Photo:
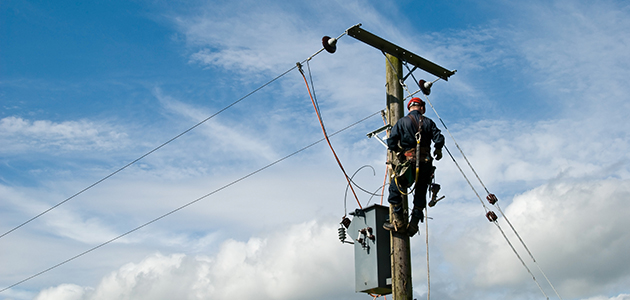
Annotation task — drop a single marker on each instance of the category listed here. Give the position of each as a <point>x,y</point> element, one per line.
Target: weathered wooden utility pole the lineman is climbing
<point>402,288</point>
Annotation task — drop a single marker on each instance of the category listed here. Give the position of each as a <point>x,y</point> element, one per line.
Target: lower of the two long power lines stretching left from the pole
<point>186,205</point>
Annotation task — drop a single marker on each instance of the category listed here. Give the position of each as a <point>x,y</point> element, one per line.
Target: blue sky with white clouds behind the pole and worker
<point>539,105</point>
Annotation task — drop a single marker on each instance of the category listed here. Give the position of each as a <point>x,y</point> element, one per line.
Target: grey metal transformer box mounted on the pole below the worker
<point>372,260</point>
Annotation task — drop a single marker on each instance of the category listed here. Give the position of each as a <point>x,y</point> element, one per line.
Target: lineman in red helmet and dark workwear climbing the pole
<point>410,140</point>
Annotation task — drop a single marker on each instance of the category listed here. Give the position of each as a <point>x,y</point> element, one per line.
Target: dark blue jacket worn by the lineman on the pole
<point>405,132</point>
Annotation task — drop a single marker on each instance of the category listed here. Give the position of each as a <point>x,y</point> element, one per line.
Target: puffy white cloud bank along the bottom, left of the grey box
<point>294,263</point>
